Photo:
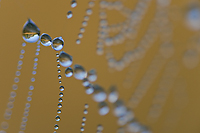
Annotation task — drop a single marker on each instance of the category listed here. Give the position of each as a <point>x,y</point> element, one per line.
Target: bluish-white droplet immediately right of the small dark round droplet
<point>79,72</point>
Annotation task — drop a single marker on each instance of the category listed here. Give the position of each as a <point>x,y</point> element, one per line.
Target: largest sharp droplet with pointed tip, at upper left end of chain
<point>31,32</point>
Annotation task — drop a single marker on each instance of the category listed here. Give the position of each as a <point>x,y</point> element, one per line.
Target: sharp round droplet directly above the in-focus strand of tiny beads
<point>57,43</point>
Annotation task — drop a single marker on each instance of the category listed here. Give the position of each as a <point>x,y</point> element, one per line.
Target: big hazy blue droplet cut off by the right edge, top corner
<point>193,16</point>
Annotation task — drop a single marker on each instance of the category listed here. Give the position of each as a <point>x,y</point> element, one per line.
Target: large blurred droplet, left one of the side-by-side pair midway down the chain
<point>99,94</point>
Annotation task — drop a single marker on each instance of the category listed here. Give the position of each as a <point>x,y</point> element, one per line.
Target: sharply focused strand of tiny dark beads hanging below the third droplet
<point>60,100</point>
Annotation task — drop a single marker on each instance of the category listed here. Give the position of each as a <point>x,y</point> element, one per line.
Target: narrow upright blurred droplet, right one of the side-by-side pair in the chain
<point>113,95</point>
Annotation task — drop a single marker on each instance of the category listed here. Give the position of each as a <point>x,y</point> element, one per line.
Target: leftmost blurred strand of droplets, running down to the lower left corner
<point>10,104</point>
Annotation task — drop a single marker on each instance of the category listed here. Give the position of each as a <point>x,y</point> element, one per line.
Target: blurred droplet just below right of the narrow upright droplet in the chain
<point>119,108</point>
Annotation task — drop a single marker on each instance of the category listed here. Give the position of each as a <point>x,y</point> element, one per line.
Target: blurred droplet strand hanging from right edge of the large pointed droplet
<point>30,92</point>
